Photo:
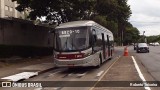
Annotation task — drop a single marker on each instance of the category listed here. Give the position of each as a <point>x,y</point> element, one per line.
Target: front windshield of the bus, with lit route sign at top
<point>71,39</point>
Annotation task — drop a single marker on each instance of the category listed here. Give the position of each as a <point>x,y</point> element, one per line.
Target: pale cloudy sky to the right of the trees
<point>145,16</point>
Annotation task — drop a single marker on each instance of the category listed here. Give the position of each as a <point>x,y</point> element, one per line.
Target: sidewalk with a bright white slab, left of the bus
<point>26,69</point>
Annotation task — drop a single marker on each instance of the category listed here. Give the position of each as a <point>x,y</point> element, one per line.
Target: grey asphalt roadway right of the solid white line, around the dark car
<point>151,60</point>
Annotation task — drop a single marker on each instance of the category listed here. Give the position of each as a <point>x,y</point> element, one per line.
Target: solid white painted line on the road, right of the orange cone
<point>140,73</point>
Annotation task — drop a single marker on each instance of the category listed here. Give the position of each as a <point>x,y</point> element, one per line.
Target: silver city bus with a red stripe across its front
<point>82,43</point>
